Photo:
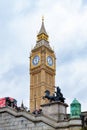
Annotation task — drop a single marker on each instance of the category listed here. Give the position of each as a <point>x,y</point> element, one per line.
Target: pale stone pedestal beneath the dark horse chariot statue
<point>55,110</point>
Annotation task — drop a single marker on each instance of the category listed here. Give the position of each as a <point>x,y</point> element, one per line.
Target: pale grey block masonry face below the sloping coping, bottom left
<point>18,122</point>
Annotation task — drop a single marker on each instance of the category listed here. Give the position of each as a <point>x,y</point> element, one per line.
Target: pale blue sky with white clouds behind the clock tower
<point>66,25</point>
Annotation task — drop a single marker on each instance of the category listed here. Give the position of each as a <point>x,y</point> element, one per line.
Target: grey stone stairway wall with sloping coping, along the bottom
<point>10,119</point>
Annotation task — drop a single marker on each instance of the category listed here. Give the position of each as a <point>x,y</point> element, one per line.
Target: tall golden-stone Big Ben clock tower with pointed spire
<point>42,69</point>
